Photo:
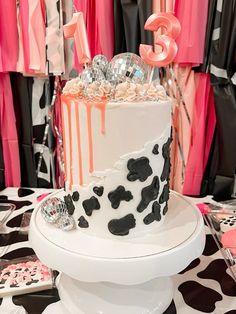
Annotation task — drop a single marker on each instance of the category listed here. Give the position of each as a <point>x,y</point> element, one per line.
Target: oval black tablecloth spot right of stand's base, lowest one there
<point>207,296</point>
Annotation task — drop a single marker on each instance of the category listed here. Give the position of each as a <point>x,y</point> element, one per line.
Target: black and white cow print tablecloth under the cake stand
<point>205,286</point>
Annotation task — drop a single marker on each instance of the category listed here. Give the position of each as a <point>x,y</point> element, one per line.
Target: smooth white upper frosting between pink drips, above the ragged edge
<point>128,127</point>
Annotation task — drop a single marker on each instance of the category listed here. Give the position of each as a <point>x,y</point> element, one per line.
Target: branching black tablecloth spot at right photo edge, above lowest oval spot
<point>216,270</point>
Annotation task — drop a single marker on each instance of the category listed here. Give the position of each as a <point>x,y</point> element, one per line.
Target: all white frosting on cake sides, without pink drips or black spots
<point>132,129</point>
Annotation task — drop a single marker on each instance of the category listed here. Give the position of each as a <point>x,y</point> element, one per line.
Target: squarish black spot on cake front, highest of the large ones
<point>139,169</point>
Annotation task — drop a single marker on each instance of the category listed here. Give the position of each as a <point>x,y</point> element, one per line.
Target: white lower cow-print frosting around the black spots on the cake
<point>110,179</point>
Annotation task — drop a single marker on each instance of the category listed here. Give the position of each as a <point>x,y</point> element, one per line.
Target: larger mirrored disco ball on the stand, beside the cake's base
<point>52,209</point>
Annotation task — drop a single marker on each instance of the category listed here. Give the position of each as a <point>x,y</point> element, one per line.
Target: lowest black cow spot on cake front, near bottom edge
<point>121,227</point>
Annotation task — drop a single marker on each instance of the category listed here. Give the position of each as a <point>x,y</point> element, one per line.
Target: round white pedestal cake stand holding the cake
<point>101,276</point>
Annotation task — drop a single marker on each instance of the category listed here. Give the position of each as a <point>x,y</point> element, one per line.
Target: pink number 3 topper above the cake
<point>172,29</point>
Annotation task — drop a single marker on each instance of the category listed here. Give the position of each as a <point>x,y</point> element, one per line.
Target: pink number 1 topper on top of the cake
<point>76,28</point>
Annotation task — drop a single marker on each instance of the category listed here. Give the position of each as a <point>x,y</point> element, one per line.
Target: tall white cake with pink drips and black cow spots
<point>124,190</point>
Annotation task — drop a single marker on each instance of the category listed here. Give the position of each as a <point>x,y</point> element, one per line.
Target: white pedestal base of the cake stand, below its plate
<point>78,297</point>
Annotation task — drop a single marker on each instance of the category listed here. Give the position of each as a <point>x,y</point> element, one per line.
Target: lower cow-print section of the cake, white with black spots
<point>128,198</point>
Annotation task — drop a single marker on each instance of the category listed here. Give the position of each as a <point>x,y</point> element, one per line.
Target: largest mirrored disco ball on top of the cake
<point>127,67</point>
